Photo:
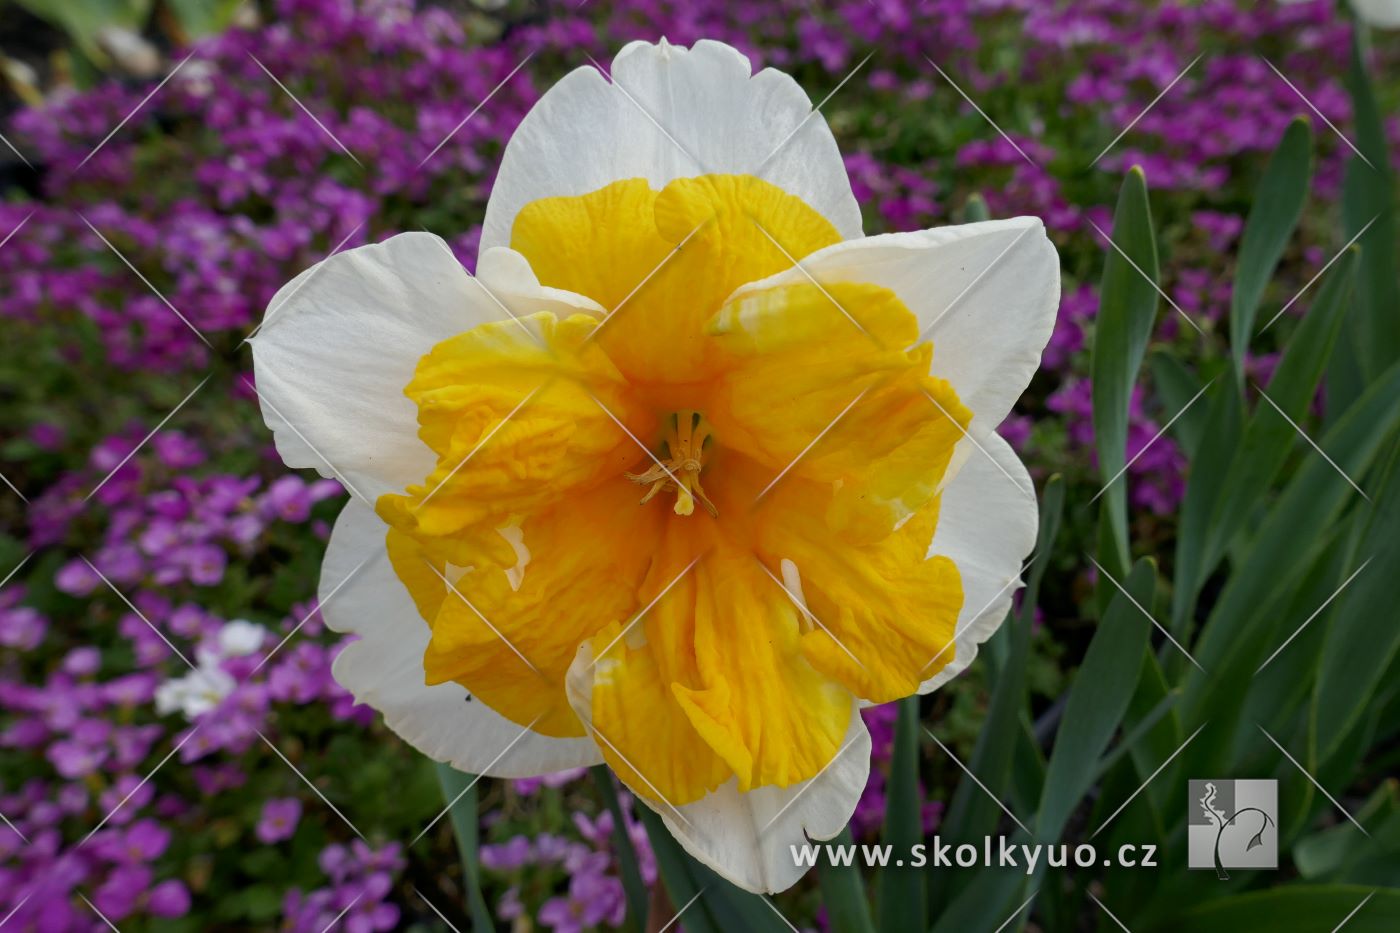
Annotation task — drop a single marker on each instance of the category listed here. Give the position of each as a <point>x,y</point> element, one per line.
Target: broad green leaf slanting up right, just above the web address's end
<point>1098,700</point>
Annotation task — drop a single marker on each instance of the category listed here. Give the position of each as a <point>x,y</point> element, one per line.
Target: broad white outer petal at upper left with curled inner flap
<point>341,343</point>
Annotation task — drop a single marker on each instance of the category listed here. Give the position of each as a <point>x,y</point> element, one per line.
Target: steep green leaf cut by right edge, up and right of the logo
<point>1363,638</point>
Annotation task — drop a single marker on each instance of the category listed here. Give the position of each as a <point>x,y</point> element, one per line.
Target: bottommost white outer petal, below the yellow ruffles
<point>748,838</point>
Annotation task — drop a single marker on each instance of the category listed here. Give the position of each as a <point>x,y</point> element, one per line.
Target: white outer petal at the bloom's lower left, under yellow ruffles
<point>362,596</point>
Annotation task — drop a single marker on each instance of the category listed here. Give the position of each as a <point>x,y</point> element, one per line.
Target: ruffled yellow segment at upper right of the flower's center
<point>828,383</point>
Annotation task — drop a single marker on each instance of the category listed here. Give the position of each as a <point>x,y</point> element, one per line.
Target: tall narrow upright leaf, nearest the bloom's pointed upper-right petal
<point>1128,307</point>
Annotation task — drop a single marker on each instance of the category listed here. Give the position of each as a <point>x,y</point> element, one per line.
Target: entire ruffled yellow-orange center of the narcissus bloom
<point>696,647</point>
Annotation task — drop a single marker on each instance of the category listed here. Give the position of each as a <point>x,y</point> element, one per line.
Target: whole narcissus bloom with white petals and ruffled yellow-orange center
<point>687,474</point>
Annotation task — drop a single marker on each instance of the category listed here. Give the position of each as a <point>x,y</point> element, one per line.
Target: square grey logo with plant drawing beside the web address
<point>1233,824</point>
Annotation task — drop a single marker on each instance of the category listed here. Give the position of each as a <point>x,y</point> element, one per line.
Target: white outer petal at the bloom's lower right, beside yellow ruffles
<point>988,523</point>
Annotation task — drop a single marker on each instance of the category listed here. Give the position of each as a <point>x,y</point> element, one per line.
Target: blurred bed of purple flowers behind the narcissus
<point>152,530</point>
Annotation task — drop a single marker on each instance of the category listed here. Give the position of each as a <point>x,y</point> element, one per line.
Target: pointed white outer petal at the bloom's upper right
<point>986,295</point>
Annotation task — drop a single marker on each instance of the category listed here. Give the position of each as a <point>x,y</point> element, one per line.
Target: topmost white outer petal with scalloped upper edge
<point>671,113</point>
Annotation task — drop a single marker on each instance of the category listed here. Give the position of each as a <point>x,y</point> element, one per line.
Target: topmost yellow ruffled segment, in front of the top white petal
<point>663,263</point>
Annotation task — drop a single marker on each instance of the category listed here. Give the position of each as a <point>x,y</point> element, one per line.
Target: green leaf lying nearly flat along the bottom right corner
<point>1301,907</point>
